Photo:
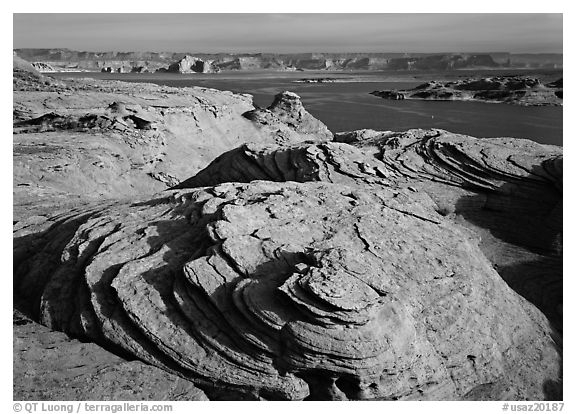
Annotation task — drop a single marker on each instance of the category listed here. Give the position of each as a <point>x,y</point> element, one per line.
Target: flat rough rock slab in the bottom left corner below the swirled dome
<point>50,366</point>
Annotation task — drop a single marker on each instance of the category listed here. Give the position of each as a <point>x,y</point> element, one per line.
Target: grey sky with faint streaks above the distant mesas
<point>284,33</point>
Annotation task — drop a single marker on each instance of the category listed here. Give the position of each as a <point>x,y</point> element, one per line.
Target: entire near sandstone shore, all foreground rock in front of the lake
<point>181,243</point>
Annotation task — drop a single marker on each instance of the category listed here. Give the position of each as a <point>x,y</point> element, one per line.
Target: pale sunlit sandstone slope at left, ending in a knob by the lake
<point>79,139</point>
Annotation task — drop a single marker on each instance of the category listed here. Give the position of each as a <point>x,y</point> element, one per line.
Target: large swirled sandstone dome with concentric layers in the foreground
<point>289,291</point>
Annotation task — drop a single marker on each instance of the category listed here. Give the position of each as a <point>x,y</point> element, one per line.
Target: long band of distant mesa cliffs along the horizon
<point>69,60</point>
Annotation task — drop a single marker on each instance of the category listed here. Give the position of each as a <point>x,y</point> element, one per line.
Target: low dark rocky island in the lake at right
<point>513,90</point>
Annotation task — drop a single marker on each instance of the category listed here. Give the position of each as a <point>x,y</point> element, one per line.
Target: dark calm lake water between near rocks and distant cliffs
<point>348,105</point>
